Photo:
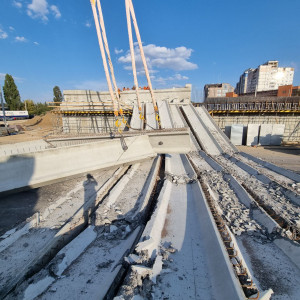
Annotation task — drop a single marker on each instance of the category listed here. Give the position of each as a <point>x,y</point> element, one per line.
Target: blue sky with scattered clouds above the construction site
<point>44,43</point>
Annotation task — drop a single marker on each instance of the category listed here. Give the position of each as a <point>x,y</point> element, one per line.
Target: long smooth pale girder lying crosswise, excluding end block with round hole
<point>50,165</point>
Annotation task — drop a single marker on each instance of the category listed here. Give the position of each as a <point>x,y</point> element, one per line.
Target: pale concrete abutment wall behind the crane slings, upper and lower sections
<point>91,101</point>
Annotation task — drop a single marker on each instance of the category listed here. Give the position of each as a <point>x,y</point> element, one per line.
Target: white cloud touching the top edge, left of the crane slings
<point>40,9</point>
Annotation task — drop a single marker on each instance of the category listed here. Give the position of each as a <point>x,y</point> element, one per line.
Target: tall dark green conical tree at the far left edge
<point>11,93</point>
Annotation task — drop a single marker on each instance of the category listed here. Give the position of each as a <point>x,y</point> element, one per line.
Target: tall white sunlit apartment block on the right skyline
<point>265,77</point>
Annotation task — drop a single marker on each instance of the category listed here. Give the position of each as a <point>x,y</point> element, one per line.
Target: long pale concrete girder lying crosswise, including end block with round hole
<point>77,156</point>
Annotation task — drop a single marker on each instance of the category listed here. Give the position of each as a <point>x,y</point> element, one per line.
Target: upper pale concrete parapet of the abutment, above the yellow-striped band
<point>174,95</point>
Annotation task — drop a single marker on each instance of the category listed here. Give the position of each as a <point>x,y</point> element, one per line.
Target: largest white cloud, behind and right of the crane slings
<point>162,58</point>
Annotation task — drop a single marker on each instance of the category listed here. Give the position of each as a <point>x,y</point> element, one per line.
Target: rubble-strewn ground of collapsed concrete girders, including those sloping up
<point>214,223</point>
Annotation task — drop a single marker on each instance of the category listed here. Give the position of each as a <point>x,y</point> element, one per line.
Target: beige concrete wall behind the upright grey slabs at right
<point>291,133</point>
